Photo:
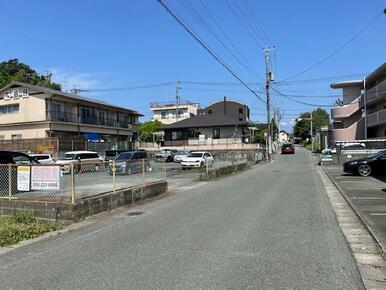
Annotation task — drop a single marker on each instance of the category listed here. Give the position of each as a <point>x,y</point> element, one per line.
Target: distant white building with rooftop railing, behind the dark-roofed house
<point>168,113</point>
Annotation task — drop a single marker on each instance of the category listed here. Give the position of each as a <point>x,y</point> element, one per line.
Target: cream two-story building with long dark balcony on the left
<point>29,111</point>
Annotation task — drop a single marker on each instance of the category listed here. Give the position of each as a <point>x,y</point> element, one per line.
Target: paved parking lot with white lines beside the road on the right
<point>367,196</point>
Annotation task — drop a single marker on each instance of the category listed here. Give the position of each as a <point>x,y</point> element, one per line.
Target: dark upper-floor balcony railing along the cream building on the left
<point>90,120</point>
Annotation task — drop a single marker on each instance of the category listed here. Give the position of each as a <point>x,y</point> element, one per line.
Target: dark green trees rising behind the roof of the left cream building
<point>13,70</point>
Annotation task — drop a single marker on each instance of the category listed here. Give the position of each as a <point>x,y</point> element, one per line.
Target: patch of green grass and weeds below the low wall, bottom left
<point>22,225</point>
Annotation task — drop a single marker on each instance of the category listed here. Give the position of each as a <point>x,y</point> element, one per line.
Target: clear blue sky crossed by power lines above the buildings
<point>108,44</point>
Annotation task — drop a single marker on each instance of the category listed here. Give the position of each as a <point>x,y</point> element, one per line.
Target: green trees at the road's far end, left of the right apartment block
<point>302,128</point>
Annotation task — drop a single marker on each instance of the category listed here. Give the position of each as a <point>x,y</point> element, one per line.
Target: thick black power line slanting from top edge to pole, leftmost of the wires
<point>206,47</point>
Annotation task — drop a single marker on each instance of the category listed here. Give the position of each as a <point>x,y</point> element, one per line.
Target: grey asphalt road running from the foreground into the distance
<point>271,227</point>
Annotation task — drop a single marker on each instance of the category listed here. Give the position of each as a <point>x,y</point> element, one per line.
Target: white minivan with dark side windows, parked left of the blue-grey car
<point>90,158</point>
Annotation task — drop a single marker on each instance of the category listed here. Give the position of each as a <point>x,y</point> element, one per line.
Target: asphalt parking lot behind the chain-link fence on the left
<point>90,182</point>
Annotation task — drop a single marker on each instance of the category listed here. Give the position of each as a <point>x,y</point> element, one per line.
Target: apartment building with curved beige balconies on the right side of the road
<point>349,121</point>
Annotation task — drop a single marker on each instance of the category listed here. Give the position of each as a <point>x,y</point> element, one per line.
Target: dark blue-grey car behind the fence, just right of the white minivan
<point>130,162</point>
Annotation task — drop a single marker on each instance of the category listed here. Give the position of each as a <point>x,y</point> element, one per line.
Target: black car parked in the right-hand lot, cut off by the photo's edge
<point>374,164</point>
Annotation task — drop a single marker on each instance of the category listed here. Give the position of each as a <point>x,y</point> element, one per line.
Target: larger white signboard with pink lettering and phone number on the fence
<point>45,178</point>
